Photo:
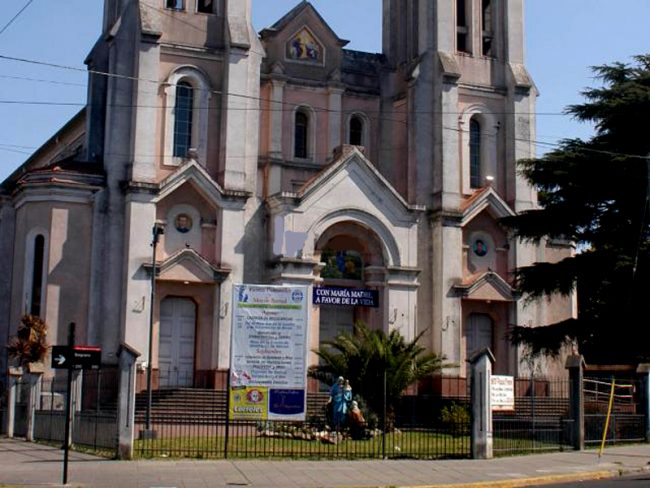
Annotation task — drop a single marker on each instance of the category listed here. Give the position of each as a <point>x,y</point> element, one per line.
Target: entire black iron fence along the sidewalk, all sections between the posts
<point>191,422</point>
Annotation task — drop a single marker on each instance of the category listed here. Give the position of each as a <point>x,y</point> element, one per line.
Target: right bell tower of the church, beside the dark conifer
<point>458,107</point>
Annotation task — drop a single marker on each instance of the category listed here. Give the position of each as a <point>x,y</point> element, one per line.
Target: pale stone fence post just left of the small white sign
<point>481,364</point>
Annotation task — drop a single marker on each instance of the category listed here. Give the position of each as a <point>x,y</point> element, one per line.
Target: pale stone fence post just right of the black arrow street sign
<point>126,400</point>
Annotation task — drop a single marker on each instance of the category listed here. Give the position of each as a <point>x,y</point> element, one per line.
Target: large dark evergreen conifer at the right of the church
<point>594,193</point>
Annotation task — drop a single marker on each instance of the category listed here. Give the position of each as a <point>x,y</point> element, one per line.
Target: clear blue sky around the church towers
<point>563,39</point>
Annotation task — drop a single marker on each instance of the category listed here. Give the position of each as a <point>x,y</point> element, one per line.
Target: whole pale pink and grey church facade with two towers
<point>281,157</point>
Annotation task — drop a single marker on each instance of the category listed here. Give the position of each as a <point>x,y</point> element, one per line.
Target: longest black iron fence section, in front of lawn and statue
<point>193,423</point>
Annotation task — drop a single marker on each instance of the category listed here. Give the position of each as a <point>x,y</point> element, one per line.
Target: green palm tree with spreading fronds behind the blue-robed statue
<point>365,355</point>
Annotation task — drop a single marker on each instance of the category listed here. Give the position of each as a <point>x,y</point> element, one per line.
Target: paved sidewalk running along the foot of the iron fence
<point>23,463</point>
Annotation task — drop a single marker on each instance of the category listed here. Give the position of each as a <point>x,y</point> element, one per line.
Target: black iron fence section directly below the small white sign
<point>540,420</point>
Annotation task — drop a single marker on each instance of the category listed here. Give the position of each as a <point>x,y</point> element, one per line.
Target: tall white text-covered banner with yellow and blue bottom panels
<point>268,359</point>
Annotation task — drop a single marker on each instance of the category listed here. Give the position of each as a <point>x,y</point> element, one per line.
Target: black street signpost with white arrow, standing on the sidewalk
<point>72,358</point>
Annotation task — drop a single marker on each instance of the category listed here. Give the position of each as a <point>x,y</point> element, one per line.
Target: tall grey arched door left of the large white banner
<point>176,342</point>
